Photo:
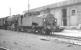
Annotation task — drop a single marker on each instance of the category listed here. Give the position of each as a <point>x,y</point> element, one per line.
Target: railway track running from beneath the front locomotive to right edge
<point>62,38</point>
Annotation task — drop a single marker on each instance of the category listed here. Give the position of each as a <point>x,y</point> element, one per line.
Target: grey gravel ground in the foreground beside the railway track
<point>25,41</point>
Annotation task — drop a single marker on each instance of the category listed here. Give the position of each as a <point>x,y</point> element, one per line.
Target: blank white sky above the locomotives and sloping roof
<point>18,6</point>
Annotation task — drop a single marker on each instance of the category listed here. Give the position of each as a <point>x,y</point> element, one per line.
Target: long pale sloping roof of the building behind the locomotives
<point>55,5</point>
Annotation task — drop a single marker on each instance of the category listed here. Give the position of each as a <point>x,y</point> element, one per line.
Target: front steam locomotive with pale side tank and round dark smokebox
<point>41,24</point>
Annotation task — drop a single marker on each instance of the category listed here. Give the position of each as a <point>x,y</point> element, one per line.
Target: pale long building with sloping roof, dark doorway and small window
<point>67,13</point>
